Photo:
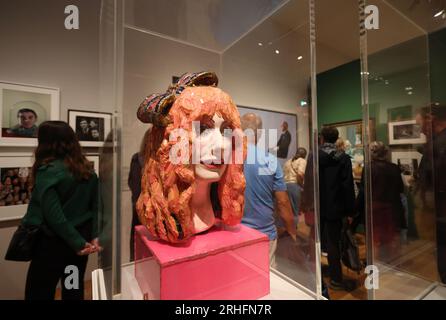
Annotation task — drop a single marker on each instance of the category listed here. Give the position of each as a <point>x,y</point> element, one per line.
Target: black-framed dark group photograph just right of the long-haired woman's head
<point>92,128</point>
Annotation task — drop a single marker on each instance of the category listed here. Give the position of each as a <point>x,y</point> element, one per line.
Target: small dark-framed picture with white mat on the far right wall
<point>405,132</point>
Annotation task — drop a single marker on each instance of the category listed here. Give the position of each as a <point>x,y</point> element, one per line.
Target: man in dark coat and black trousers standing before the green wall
<point>336,199</point>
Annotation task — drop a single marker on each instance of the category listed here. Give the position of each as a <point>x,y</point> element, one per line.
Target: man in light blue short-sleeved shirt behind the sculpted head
<point>265,188</point>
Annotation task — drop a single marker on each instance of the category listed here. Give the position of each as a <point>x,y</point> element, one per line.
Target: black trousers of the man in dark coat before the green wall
<point>332,230</point>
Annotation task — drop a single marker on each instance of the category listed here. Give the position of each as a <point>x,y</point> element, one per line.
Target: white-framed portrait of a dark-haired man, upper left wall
<point>22,109</point>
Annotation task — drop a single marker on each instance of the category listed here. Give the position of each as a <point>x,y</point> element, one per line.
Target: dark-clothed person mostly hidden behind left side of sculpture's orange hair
<point>134,183</point>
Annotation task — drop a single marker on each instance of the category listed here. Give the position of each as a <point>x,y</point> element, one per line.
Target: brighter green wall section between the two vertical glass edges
<point>339,94</point>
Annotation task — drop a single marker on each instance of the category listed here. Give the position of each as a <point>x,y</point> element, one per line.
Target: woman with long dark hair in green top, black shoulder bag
<point>64,203</point>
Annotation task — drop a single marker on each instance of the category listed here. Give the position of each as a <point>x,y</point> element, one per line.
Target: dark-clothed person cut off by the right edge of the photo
<point>432,172</point>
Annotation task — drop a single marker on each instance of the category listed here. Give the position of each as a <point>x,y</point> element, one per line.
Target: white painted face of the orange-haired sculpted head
<point>212,144</point>
